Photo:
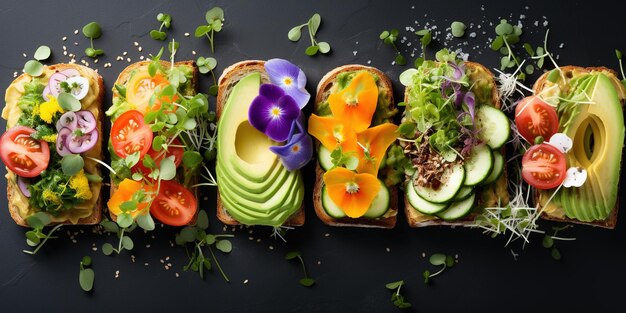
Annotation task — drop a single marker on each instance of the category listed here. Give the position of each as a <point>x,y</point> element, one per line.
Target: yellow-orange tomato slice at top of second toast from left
<point>142,86</point>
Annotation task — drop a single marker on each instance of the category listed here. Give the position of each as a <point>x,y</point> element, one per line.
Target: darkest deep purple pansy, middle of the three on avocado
<point>273,112</point>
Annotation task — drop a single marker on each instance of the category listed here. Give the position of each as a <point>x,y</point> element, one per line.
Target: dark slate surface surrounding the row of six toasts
<point>351,266</point>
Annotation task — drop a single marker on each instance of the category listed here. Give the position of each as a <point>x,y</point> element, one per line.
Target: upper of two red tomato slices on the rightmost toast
<point>534,117</point>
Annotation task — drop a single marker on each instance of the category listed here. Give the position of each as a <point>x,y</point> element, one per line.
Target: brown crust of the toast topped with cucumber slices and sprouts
<point>412,213</point>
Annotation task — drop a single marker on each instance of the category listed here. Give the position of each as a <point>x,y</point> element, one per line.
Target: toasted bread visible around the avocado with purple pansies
<point>229,78</point>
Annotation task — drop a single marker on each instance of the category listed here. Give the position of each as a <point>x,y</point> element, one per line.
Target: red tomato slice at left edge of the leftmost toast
<point>22,154</point>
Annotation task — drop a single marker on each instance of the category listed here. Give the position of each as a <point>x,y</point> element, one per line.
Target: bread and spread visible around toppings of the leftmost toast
<point>17,202</point>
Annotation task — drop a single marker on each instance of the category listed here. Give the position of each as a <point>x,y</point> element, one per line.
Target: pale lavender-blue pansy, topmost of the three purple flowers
<point>290,78</point>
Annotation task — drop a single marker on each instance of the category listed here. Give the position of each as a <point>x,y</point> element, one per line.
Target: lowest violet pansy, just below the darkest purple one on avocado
<point>299,148</point>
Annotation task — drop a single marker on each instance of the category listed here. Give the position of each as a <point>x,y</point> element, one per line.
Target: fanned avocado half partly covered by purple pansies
<point>253,185</point>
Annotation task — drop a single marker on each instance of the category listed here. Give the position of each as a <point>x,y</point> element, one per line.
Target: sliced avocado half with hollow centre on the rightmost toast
<point>600,118</point>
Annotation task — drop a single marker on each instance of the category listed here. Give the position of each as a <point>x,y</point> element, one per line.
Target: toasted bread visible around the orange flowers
<point>324,89</point>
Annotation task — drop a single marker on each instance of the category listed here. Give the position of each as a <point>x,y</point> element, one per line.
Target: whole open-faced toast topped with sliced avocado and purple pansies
<point>262,143</point>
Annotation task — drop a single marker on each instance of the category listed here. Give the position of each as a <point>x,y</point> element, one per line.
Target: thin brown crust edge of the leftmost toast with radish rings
<point>96,215</point>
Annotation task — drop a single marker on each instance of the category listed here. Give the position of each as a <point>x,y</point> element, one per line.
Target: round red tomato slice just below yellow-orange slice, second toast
<point>130,134</point>
